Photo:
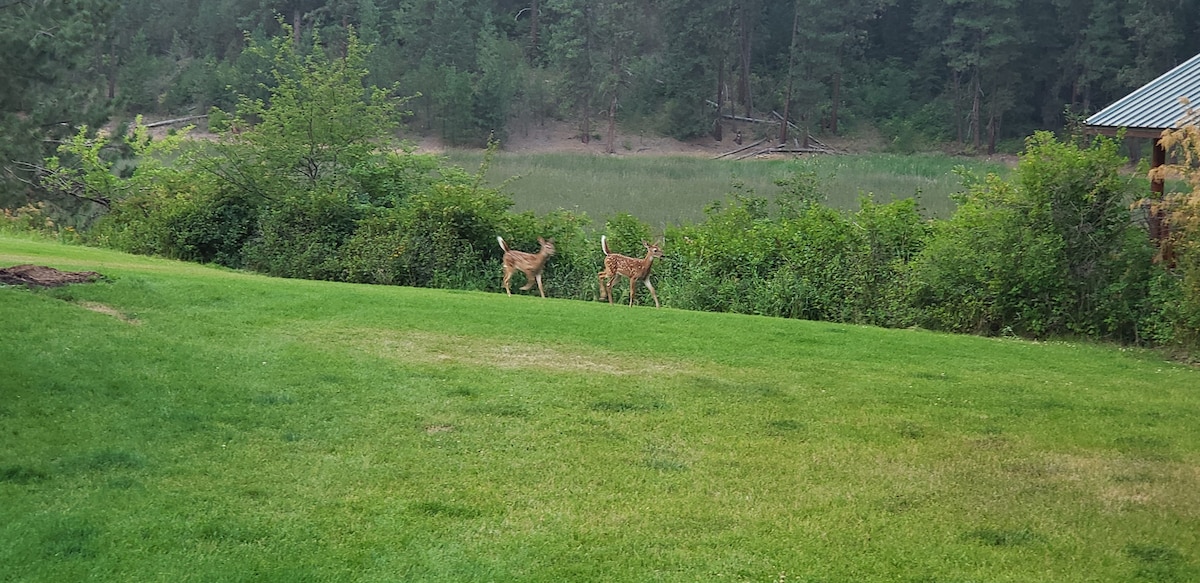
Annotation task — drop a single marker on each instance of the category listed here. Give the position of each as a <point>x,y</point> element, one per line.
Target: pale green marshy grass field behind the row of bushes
<point>674,190</point>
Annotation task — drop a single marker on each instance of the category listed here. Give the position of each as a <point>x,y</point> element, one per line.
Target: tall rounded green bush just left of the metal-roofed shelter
<point>1048,254</point>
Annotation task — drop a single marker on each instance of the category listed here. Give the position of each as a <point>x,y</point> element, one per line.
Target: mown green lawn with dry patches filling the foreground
<point>178,423</point>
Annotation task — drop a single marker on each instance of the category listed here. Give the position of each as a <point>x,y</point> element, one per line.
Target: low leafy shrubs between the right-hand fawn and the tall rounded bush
<point>812,263</point>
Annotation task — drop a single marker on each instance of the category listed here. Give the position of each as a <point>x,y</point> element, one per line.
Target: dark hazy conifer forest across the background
<point>917,71</point>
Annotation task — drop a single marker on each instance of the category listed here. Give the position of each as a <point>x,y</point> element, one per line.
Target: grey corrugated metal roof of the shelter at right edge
<point>1155,106</point>
